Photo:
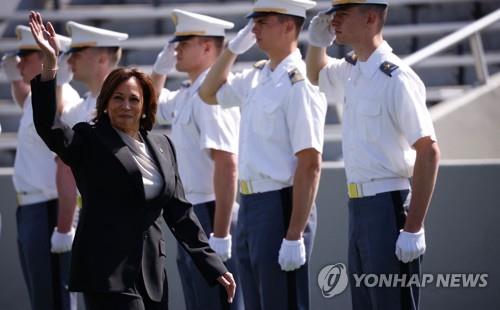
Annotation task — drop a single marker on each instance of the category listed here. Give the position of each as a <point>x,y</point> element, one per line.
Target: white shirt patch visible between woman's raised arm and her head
<point>80,110</point>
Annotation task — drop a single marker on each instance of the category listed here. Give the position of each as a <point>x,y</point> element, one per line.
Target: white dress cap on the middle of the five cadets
<point>189,24</point>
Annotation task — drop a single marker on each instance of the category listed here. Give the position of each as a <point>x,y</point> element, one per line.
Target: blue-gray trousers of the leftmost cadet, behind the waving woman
<point>46,274</point>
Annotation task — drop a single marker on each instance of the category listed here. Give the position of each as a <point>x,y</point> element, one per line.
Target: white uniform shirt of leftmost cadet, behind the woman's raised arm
<point>34,165</point>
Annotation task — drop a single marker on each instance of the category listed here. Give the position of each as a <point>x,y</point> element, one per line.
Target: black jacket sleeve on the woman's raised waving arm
<point>58,137</point>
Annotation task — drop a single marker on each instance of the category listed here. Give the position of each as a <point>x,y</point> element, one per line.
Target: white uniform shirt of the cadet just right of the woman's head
<point>196,128</point>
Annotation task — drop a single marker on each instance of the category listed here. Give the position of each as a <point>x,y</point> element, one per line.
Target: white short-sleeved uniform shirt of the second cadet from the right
<point>278,119</point>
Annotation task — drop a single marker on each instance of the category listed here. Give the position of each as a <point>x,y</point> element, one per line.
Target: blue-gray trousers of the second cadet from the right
<point>262,224</point>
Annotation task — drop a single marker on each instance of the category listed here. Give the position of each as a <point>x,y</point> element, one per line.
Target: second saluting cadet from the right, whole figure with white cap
<point>281,140</point>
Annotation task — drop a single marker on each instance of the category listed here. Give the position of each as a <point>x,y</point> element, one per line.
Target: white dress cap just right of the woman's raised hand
<point>88,36</point>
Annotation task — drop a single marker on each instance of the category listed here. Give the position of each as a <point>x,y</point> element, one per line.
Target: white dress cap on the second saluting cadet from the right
<point>286,7</point>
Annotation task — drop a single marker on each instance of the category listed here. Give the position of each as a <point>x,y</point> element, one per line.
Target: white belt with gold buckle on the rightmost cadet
<point>372,188</point>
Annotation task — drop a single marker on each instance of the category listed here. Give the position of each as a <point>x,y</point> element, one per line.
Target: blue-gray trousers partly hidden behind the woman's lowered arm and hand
<point>197,293</point>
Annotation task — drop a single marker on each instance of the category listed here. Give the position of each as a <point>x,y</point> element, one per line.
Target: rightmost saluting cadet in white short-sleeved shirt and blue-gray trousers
<point>388,138</point>
